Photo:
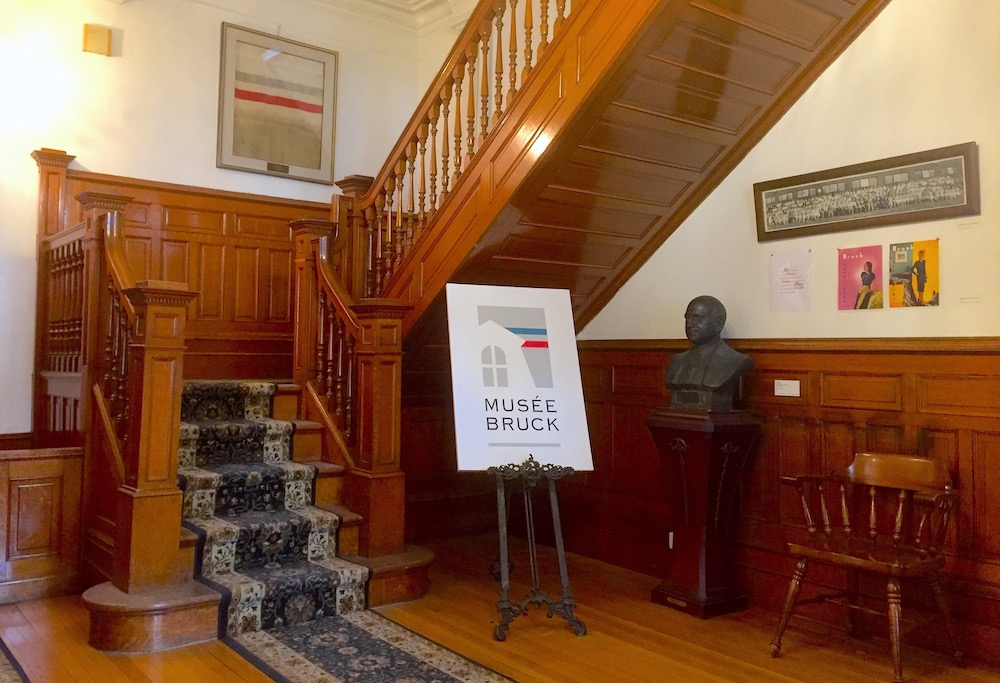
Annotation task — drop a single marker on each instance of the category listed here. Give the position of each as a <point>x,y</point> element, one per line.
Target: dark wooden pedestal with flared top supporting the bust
<point>703,459</point>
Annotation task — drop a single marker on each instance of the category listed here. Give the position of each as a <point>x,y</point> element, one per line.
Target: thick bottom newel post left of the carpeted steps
<point>149,502</point>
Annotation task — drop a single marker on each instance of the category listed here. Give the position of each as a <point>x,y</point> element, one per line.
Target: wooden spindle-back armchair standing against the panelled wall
<point>904,504</point>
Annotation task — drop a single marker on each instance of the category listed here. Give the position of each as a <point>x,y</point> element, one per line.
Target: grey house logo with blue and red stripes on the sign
<point>516,330</point>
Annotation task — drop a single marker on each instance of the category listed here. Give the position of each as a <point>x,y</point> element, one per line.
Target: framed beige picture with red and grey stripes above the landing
<point>277,106</point>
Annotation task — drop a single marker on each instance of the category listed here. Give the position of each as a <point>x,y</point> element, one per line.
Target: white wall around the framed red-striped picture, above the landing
<point>150,111</point>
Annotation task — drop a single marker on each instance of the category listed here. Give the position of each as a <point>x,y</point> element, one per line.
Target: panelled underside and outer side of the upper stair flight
<point>697,84</point>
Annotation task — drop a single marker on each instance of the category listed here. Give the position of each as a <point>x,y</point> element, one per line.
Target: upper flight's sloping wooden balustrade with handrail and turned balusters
<point>467,101</point>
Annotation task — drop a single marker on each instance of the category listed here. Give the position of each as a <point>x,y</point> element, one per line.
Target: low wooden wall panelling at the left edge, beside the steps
<point>39,536</point>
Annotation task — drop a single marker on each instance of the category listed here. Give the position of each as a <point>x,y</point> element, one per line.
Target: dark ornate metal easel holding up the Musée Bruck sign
<point>530,473</point>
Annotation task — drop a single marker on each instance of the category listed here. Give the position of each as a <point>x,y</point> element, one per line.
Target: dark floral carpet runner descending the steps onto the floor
<point>290,605</point>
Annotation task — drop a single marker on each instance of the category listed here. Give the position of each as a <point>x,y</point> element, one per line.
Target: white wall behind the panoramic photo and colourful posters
<point>925,74</point>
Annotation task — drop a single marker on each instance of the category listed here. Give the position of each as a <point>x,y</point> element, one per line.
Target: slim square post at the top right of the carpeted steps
<point>306,232</point>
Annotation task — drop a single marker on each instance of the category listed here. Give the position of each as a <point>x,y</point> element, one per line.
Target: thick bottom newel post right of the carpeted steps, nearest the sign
<point>377,483</point>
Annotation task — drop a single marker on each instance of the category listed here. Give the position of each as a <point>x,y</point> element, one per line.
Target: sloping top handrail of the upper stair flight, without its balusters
<point>457,58</point>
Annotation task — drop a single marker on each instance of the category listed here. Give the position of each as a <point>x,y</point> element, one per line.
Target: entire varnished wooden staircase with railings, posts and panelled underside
<point>559,146</point>
